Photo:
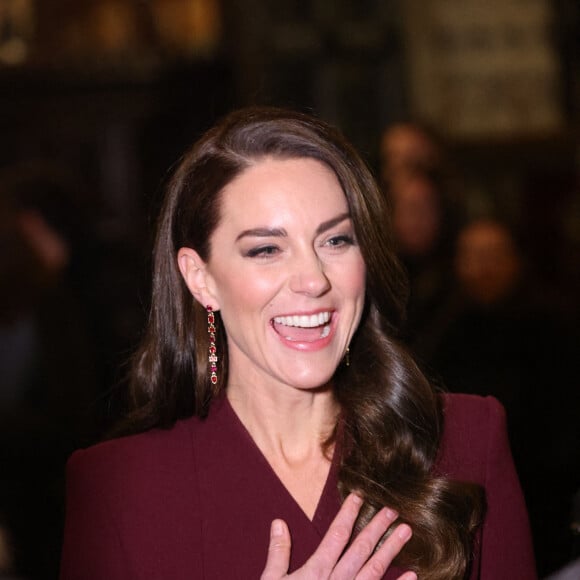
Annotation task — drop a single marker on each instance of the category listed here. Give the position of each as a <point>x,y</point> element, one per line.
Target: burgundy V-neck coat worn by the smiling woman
<point>196,501</point>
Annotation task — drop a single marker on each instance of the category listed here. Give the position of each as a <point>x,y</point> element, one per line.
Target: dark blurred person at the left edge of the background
<point>47,372</point>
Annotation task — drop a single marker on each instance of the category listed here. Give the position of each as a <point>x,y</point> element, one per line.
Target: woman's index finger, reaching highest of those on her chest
<point>322,562</point>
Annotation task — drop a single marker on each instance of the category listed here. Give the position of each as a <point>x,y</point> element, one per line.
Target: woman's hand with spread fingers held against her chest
<point>329,562</point>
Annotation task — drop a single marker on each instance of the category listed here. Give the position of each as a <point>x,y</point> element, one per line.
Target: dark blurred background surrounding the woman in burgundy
<point>469,114</point>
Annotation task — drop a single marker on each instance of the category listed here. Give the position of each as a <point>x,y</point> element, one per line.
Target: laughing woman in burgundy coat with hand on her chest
<point>269,388</point>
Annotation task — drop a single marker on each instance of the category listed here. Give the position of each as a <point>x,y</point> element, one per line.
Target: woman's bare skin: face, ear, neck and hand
<point>285,247</point>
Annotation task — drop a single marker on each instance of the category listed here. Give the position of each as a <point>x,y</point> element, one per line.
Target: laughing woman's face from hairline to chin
<point>286,273</point>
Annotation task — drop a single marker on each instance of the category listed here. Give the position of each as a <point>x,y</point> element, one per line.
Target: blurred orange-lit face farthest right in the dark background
<point>488,264</point>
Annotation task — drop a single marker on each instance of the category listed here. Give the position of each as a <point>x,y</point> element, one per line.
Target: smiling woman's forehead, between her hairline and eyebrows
<point>283,187</point>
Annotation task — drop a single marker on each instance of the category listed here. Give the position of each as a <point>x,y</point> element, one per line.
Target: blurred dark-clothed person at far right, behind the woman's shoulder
<point>496,337</point>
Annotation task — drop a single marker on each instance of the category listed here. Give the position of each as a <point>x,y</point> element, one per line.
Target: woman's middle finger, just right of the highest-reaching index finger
<point>364,545</point>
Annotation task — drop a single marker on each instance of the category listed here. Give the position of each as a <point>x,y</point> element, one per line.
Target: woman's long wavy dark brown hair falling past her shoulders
<point>391,417</point>
